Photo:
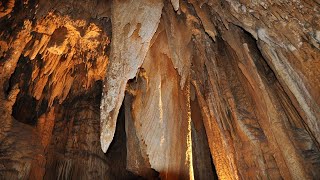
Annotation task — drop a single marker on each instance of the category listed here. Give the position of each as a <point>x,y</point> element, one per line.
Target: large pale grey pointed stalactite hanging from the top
<point>131,39</point>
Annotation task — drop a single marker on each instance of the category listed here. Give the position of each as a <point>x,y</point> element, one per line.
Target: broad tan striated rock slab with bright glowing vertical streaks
<point>160,112</point>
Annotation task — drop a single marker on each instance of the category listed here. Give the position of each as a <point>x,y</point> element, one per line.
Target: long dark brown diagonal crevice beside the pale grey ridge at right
<point>306,143</point>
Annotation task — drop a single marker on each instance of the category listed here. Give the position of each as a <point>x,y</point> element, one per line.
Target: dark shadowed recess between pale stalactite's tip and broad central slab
<point>124,149</point>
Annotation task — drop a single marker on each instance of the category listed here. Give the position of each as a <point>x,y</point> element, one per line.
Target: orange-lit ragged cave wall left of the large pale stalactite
<point>52,62</point>
